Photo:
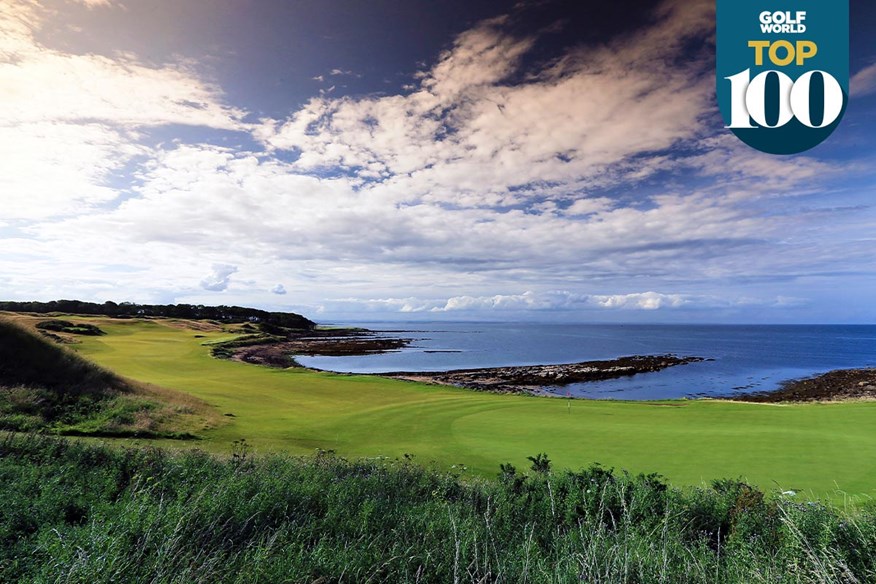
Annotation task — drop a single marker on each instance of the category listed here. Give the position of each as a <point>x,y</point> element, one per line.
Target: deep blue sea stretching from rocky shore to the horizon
<point>739,358</point>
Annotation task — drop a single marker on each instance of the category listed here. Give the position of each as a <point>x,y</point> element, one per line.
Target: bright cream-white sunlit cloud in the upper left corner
<point>68,121</point>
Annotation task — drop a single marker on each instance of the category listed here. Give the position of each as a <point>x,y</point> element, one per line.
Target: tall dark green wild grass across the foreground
<point>81,513</point>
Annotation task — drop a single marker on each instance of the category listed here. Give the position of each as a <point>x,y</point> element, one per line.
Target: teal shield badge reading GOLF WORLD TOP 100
<point>782,71</point>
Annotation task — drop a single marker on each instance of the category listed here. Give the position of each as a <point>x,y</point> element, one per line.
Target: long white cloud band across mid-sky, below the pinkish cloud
<point>195,192</point>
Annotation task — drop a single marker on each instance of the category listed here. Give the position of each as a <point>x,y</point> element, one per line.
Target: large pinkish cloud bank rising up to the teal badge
<point>468,136</point>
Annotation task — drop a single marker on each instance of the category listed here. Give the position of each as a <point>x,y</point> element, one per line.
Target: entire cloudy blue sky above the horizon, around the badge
<point>360,160</point>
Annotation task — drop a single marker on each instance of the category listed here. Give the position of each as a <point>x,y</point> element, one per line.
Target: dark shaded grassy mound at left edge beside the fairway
<point>47,387</point>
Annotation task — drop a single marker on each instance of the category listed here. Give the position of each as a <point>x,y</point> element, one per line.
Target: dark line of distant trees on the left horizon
<point>229,314</point>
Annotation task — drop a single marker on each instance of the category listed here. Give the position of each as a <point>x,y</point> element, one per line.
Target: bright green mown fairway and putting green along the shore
<point>817,448</point>
